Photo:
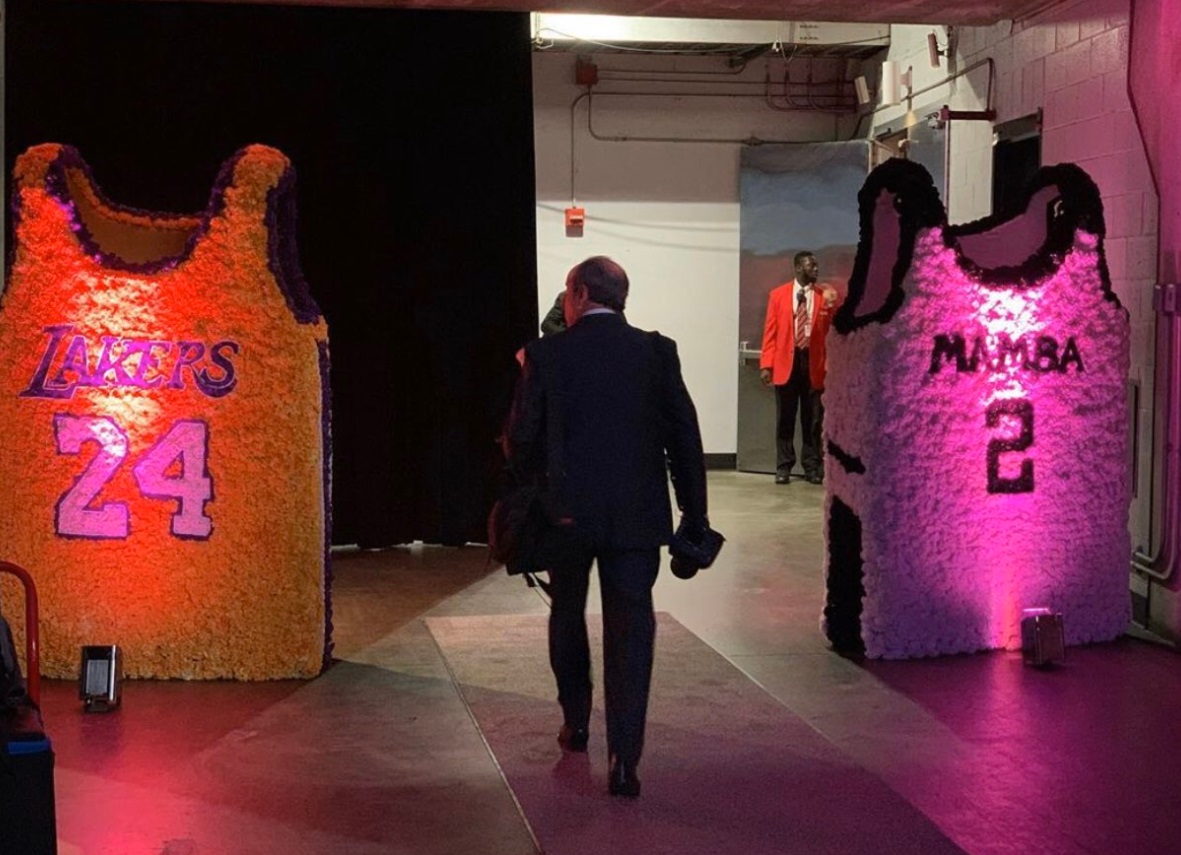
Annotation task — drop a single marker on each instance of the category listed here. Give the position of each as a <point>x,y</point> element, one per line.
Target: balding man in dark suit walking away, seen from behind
<point>603,415</point>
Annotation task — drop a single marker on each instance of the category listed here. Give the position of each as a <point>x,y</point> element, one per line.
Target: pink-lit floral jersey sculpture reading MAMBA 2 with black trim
<point>977,425</point>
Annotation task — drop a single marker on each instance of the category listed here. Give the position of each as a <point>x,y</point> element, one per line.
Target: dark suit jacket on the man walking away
<point>624,421</point>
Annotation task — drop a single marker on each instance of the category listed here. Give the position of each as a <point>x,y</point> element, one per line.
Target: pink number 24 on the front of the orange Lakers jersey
<point>186,442</point>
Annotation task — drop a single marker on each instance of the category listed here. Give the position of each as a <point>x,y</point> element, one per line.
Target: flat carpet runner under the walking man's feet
<point>727,768</point>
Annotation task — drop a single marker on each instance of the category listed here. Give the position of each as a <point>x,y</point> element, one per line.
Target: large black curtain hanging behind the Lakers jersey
<point>412,134</point>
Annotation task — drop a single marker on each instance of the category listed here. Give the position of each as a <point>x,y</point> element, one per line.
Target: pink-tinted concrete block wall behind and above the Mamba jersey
<point>1073,62</point>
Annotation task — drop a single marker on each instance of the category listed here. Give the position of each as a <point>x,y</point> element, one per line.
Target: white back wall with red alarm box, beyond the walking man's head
<point>665,210</point>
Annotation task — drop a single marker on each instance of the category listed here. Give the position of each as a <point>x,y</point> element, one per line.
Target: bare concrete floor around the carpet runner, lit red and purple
<point>381,755</point>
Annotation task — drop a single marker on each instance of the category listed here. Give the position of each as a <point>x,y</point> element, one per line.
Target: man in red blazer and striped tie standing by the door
<point>799,315</point>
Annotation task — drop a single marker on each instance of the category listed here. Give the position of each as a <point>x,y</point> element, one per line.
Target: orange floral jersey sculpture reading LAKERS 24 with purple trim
<point>165,452</point>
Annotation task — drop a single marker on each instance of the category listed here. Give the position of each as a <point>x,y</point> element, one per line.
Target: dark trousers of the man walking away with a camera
<point>629,638</point>
